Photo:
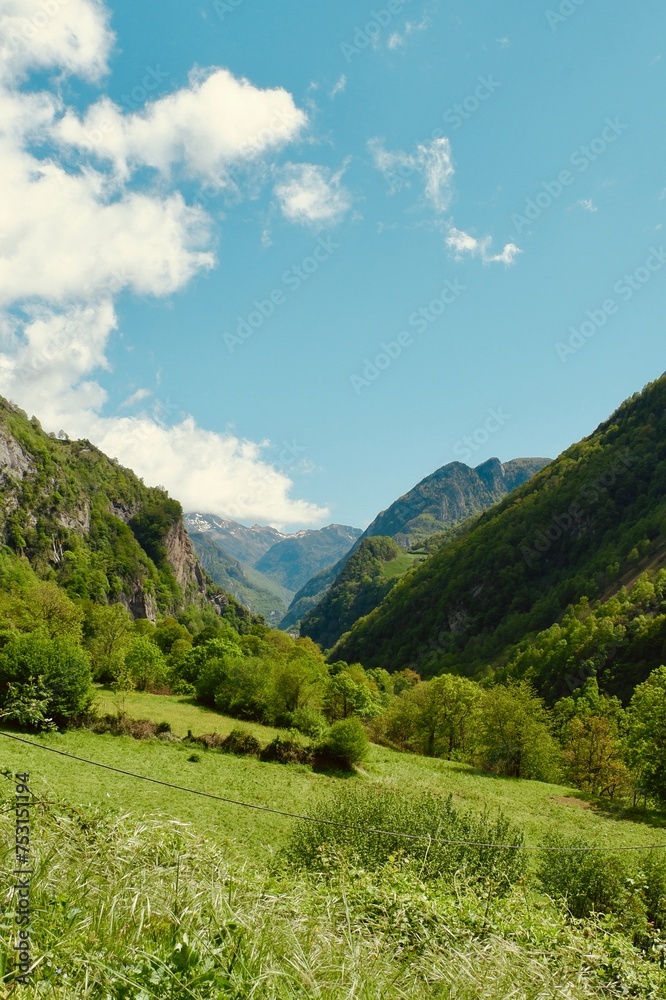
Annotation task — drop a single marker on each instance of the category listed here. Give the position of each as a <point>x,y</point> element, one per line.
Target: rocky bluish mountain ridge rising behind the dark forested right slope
<point>436,504</point>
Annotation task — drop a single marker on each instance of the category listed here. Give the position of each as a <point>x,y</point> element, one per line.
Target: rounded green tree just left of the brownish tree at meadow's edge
<point>516,740</point>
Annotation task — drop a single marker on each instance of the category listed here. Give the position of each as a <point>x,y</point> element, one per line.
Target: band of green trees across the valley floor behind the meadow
<point>52,649</point>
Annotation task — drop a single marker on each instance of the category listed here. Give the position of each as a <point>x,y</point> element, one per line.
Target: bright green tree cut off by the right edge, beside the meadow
<point>646,735</point>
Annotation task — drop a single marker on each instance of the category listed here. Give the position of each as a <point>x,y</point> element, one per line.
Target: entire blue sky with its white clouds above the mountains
<point>445,238</point>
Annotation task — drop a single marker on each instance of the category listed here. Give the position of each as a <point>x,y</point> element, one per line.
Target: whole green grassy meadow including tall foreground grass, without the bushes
<point>143,892</point>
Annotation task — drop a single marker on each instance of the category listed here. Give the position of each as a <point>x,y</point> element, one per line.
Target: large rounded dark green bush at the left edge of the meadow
<point>58,666</point>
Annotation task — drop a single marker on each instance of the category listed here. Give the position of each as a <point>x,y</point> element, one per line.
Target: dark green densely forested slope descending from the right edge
<point>585,524</point>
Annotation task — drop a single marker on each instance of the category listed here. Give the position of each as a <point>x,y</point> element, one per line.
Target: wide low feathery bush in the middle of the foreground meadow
<point>360,810</point>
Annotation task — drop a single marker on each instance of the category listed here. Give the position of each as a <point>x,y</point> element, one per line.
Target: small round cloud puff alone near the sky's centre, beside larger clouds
<point>312,194</point>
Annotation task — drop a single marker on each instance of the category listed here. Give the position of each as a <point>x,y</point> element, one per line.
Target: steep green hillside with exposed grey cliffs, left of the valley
<point>82,521</point>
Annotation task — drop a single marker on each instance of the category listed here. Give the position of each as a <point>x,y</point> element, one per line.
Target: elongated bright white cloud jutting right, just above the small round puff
<point>206,127</point>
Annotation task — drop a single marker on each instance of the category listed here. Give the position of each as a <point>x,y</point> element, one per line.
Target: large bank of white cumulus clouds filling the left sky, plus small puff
<point>77,227</point>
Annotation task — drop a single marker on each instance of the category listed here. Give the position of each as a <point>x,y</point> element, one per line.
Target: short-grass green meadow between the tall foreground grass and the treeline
<point>540,809</point>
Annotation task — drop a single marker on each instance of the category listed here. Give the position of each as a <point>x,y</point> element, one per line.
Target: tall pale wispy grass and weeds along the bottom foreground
<point>126,909</point>
